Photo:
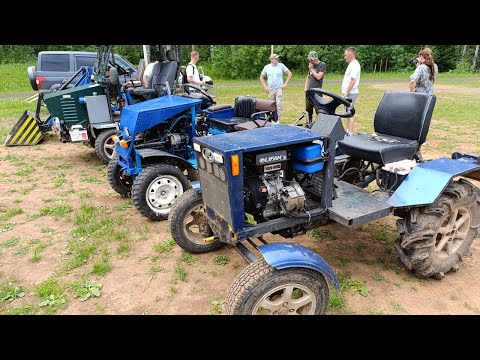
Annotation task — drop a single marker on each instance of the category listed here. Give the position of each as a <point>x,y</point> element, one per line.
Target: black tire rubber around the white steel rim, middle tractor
<point>143,180</point>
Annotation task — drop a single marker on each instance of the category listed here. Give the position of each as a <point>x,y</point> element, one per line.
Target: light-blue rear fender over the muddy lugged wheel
<point>426,182</point>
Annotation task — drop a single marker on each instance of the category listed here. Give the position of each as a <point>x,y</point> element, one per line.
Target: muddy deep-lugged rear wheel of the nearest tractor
<point>433,239</point>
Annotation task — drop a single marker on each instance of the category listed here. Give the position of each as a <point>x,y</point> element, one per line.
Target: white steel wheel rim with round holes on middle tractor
<point>162,192</point>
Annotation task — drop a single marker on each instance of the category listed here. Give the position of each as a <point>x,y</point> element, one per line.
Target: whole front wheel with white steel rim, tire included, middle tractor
<point>156,188</point>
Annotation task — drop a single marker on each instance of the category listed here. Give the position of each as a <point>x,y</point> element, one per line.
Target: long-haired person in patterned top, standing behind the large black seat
<point>424,76</point>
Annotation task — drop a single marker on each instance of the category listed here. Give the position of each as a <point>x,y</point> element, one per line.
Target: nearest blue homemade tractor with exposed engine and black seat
<point>287,179</point>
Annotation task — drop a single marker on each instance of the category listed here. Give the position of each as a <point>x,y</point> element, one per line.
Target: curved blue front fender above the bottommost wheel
<point>288,255</point>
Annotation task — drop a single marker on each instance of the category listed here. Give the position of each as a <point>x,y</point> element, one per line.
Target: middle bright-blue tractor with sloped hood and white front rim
<point>155,161</point>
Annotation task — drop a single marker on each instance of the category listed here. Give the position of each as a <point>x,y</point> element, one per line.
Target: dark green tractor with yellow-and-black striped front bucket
<point>86,112</point>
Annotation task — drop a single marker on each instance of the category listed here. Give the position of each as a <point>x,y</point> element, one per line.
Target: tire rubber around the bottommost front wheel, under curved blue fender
<point>258,275</point>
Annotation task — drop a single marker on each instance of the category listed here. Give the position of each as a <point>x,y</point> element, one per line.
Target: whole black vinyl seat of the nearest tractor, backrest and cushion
<point>402,121</point>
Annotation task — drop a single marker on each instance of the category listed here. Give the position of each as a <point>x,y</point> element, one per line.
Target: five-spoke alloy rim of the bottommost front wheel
<point>288,299</point>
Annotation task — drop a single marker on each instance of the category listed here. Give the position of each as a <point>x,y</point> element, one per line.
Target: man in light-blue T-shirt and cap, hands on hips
<point>275,85</point>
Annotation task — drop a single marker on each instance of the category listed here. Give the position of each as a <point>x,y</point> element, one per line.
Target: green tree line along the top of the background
<point>246,61</point>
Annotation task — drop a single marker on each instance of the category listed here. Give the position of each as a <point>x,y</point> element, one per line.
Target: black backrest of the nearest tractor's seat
<point>405,114</point>
